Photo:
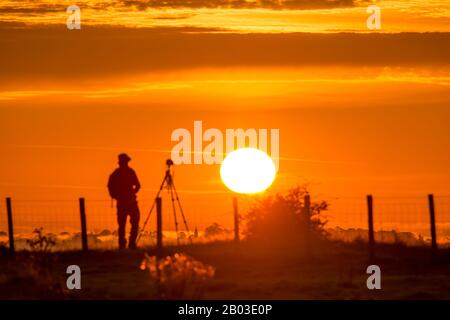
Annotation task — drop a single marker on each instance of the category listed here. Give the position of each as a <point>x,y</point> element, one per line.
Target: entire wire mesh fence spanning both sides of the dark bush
<point>396,219</point>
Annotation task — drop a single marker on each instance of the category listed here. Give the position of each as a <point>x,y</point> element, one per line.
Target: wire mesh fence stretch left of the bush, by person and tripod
<point>60,219</point>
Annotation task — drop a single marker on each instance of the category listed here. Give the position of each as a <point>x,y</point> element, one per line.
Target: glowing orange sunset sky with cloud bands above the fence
<point>358,113</point>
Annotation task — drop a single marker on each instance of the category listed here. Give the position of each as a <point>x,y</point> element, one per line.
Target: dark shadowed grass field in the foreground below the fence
<point>248,271</point>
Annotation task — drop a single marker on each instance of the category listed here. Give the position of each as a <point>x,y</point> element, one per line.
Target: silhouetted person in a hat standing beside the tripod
<point>123,185</point>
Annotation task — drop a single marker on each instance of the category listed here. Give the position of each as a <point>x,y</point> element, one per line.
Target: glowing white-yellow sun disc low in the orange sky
<point>247,170</point>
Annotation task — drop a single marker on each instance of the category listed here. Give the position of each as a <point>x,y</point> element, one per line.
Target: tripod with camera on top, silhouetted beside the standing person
<point>170,185</point>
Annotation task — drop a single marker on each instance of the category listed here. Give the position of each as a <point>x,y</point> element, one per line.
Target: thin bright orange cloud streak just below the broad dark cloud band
<point>282,77</point>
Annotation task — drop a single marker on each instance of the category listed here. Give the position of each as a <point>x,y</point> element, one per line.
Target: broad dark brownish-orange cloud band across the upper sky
<point>47,53</point>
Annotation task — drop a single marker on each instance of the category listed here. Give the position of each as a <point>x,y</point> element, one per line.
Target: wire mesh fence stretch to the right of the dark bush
<point>396,219</point>
